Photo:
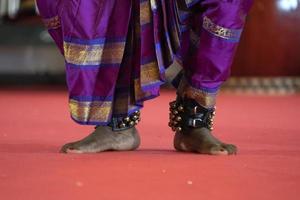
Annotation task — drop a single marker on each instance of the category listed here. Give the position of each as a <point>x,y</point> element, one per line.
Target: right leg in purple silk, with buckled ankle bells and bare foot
<point>208,49</point>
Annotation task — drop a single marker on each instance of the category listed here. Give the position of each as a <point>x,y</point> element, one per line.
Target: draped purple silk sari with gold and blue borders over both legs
<point>116,51</point>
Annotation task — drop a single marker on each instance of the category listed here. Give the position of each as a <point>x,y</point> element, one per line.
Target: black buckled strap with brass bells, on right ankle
<point>188,113</point>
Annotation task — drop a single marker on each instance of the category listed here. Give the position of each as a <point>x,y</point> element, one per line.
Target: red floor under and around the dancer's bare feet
<point>34,124</point>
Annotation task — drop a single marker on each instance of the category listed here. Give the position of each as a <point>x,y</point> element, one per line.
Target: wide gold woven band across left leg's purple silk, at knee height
<point>80,54</point>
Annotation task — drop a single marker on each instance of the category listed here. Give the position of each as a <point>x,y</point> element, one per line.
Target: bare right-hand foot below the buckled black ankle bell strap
<point>200,140</point>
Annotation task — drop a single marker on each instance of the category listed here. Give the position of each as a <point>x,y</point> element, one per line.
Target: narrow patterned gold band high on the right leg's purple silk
<point>219,31</point>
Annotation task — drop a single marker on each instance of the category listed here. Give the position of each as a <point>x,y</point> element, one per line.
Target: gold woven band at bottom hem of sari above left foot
<point>86,111</point>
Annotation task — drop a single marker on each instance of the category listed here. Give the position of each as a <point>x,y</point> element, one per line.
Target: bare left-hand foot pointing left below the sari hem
<point>104,139</point>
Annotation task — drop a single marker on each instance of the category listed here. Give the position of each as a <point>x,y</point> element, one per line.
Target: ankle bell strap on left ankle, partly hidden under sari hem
<point>120,124</point>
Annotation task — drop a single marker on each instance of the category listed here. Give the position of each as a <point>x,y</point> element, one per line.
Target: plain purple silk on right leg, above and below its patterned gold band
<point>207,65</point>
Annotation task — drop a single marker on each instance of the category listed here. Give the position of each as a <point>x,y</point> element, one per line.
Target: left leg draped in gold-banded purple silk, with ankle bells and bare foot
<point>111,67</point>
